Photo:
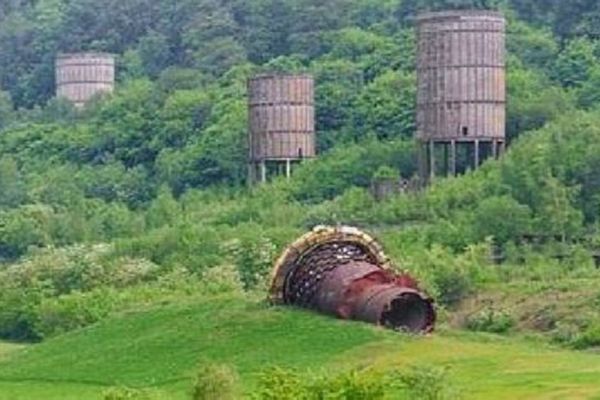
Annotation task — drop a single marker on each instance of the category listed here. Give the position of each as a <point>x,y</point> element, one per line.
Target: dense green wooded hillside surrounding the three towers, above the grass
<point>142,194</point>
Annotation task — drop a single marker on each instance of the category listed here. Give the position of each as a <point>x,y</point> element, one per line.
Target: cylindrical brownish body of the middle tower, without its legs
<point>281,117</point>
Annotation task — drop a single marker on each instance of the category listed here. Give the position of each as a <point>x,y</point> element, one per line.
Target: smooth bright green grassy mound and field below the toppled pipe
<point>159,348</point>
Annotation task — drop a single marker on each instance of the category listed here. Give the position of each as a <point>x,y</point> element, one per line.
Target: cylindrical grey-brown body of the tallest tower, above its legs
<point>461,76</point>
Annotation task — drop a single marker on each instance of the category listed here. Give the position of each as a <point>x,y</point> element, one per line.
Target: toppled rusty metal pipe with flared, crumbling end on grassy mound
<point>342,271</point>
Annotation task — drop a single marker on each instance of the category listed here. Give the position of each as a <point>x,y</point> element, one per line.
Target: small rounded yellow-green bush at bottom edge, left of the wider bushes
<point>215,382</point>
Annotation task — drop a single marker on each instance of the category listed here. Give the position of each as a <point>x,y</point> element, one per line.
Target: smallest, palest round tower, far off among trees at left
<point>81,76</point>
